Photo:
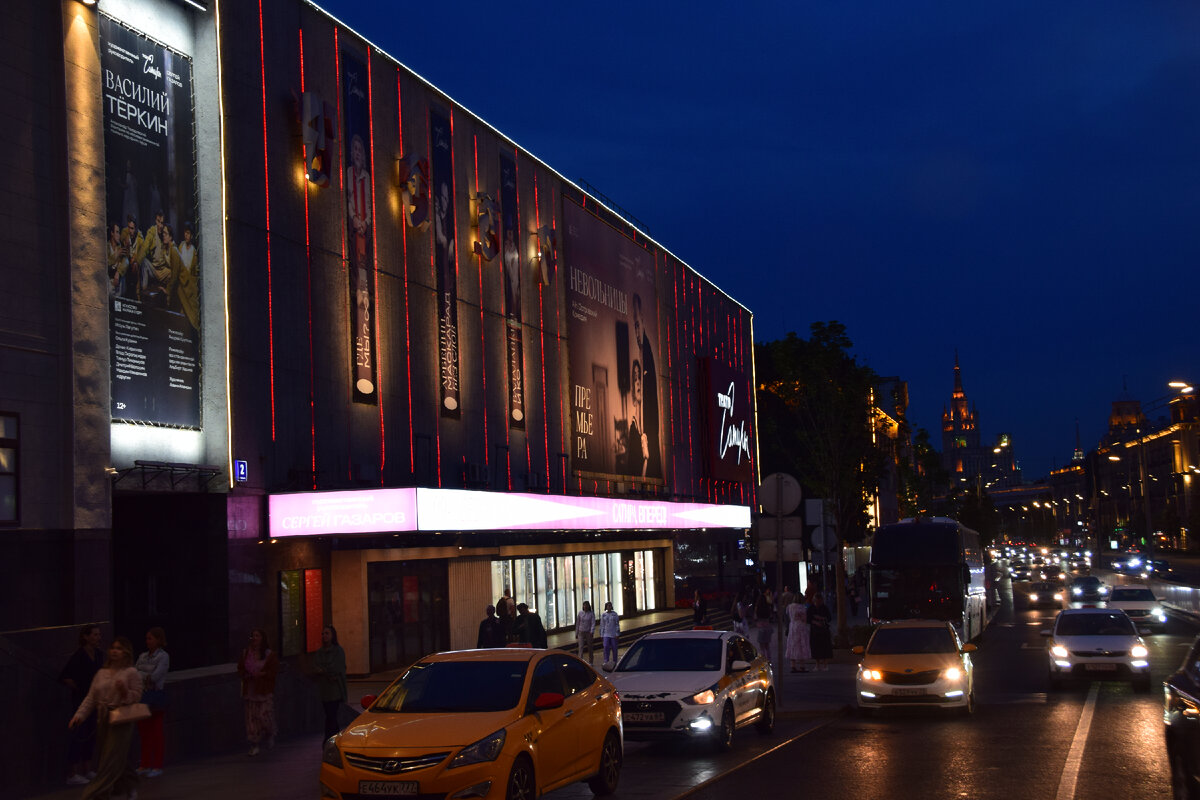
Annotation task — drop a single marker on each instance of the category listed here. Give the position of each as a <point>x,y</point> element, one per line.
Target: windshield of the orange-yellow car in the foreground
<point>455,688</point>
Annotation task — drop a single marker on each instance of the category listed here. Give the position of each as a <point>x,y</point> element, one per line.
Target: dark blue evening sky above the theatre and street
<point>1018,182</point>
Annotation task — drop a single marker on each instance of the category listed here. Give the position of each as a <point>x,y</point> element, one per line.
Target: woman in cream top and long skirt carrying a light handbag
<point>115,696</point>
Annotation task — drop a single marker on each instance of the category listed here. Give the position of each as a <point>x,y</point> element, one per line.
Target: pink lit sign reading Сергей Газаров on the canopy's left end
<point>370,512</point>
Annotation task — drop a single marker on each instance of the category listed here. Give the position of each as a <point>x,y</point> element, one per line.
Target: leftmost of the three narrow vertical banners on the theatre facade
<point>359,242</point>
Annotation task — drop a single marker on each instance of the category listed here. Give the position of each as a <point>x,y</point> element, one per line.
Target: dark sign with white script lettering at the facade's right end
<point>727,405</point>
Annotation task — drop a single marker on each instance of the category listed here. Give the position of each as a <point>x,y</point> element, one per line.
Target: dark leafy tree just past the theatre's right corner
<point>817,423</point>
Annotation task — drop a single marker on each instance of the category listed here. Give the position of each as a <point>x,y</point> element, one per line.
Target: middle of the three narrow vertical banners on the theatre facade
<point>446,257</point>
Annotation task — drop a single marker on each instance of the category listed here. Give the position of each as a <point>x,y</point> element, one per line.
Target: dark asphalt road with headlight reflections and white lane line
<point>1096,741</point>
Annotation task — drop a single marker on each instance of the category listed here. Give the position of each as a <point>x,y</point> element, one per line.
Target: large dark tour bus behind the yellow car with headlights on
<point>929,568</point>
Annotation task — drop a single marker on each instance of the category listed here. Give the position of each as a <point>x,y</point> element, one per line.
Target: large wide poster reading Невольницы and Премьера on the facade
<point>614,327</point>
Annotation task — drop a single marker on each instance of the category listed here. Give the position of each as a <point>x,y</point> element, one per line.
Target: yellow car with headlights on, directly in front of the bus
<point>916,663</point>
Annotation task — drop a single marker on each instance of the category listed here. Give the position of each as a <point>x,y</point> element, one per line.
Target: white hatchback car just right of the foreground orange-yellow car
<point>694,684</point>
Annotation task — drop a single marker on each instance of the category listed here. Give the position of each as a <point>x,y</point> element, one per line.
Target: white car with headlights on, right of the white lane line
<point>1096,645</point>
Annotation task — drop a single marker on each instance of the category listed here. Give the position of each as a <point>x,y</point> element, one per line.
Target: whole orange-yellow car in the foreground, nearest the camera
<point>509,724</point>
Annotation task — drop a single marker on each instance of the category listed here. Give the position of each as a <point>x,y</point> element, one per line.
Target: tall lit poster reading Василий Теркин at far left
<point>152,234</point>
